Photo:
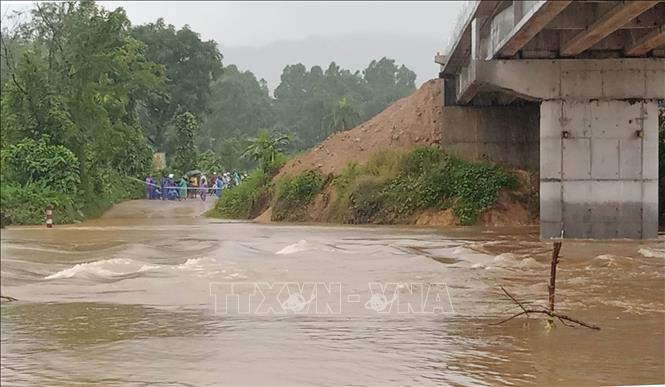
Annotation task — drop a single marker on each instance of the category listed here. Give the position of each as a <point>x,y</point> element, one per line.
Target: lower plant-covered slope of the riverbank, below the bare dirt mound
<point>425,187</point>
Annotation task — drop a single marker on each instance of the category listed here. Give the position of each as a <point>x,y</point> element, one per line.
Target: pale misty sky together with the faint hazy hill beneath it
<point>418,30</point>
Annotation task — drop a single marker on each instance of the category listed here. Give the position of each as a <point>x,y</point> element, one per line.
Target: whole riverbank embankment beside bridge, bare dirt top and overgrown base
<point>388,170</point>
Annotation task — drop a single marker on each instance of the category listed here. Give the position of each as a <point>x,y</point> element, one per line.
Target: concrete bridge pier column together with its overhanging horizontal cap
<point>598,139</point>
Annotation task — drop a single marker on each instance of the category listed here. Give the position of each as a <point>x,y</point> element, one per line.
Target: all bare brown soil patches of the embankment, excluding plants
<point>410,122</point>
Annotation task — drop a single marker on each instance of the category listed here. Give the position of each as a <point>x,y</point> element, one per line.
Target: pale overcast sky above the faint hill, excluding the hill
<point>259,23</point>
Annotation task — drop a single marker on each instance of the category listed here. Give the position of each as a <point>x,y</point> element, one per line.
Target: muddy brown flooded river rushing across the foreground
<point>153,294</point>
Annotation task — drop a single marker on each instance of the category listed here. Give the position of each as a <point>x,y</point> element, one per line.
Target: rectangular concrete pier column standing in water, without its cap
<point>599,168</point>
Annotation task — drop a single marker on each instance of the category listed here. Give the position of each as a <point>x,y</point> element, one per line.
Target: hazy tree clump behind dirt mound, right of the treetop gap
<point>308,103</point>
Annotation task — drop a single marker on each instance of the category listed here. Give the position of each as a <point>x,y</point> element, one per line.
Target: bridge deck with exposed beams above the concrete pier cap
<point>551,29</point>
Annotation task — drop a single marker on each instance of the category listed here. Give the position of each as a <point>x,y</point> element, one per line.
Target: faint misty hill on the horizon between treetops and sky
<point>352,52</point>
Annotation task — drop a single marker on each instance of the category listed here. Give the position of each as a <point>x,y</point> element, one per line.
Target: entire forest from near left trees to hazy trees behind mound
<point>87,99</point>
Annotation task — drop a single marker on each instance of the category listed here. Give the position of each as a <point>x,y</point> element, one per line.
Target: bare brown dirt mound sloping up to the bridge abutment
<point>408,123</point>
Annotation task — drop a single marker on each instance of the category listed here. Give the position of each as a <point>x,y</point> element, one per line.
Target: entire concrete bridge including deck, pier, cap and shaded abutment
<point>587,76</point>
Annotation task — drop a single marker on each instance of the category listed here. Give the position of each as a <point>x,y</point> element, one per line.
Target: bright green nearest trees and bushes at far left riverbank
<point>72,80</point>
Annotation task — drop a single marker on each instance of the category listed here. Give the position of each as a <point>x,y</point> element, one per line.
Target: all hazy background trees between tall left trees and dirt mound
<point>309,104</point>
